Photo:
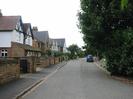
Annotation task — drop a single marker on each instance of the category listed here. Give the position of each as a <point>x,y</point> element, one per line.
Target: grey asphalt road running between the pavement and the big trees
<point>81,80</point>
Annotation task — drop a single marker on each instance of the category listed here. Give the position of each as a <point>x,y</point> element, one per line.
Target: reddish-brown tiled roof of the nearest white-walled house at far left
<point>8,22</point>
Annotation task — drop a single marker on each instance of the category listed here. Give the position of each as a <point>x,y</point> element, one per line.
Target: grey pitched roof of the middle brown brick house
<point>41,35</point>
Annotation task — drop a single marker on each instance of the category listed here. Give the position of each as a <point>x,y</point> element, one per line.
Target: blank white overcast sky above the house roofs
<point>58,17</point>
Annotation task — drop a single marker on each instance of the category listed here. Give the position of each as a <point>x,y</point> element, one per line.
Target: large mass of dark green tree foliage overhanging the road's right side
<point>106,25</point>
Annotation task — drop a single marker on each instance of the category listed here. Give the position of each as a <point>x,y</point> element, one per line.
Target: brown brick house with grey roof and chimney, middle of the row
<point>43,38</point>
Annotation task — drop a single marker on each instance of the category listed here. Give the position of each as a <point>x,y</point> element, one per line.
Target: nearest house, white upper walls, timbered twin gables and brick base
<point>15,37</point>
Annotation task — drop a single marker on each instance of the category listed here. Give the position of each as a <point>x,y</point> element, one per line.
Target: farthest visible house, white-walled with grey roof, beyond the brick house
<point>60,45</point>
